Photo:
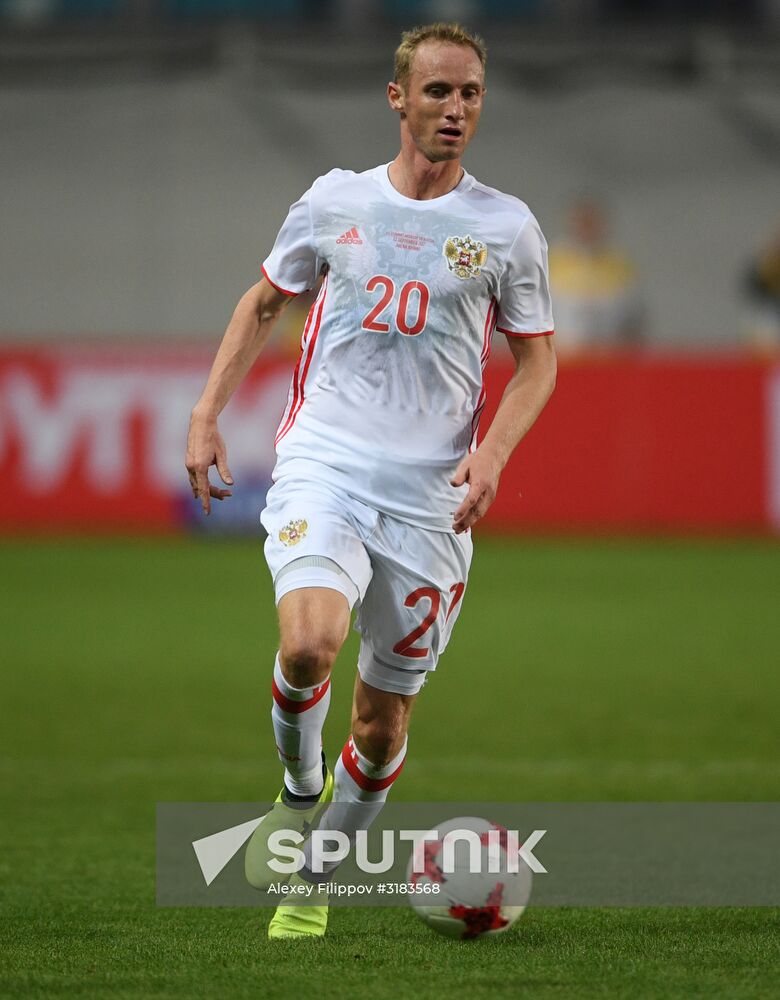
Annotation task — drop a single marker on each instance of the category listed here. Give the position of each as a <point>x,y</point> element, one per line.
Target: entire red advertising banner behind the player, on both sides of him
<point>92,439</point>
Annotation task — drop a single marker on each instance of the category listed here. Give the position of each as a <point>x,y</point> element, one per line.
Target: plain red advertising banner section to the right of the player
<point>649,443</point>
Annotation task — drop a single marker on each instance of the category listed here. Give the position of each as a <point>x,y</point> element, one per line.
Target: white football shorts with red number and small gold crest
<point>408,582</point>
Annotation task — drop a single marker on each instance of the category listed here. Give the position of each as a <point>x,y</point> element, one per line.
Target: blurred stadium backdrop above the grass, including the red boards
<point>151,149</point>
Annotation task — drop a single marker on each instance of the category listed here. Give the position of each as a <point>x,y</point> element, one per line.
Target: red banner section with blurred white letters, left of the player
<point>93,439</point>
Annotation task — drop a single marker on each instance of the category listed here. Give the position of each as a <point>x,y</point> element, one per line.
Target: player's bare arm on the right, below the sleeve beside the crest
<point>524,399</point>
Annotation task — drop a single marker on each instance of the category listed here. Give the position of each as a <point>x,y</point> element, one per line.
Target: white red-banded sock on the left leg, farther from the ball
<point>298,716</point>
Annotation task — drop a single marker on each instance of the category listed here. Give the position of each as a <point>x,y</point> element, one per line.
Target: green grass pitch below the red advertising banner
<point>136,672</point>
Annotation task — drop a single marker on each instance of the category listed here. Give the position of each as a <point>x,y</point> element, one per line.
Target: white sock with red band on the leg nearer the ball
<point>360,790</point>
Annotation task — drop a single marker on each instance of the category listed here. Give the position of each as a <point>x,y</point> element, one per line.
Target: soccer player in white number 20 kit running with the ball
<point>379,478</point>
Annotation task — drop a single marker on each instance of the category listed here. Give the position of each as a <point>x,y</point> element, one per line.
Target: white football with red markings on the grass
<point>468,892</point>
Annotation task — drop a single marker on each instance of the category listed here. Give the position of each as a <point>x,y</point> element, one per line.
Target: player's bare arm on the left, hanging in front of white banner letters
<point>246,335</point>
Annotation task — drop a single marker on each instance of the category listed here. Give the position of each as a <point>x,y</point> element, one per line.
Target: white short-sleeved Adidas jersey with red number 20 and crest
<point>386,397</point>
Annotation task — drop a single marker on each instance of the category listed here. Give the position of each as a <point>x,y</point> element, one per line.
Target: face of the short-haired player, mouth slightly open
<point>442,100</point>
